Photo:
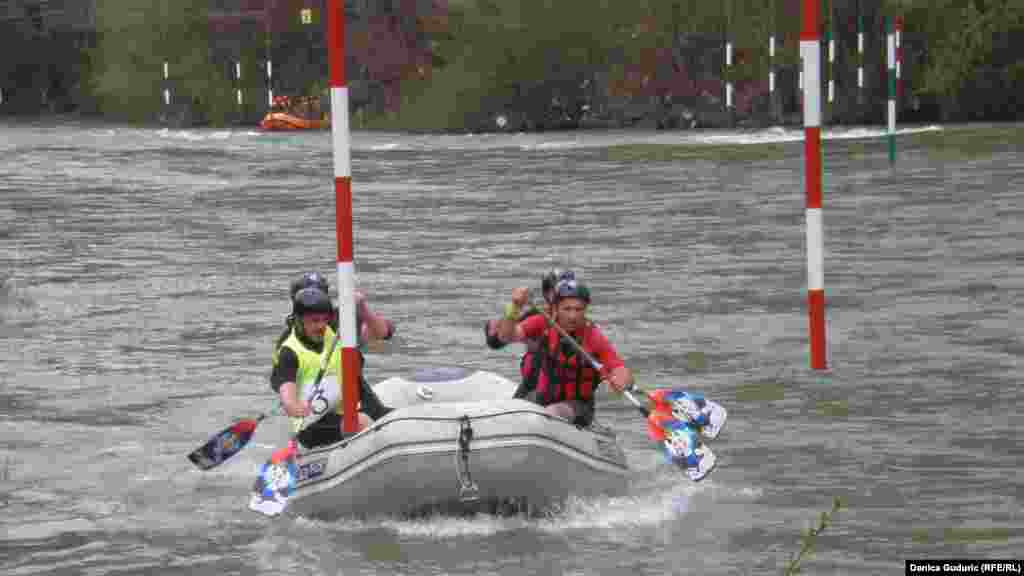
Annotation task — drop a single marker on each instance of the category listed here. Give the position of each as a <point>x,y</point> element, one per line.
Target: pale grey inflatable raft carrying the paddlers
<point>457,442</point>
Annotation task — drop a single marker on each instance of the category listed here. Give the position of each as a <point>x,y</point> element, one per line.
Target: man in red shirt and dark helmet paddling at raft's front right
<point>567,383</point>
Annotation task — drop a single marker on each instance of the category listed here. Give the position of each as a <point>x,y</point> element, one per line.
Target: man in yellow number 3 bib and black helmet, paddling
<point>298,361</point>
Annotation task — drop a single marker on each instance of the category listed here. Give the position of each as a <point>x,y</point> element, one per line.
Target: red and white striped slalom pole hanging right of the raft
<point>810,50</point>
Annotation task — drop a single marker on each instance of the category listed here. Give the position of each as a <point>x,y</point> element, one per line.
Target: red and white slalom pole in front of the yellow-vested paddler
<point>344,213</point>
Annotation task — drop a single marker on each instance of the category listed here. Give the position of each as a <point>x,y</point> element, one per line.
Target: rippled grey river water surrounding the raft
<point>145,274</point>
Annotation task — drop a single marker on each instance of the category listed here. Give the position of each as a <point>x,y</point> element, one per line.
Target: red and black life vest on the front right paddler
<point>566,377</point>
